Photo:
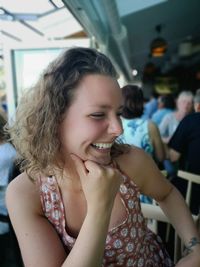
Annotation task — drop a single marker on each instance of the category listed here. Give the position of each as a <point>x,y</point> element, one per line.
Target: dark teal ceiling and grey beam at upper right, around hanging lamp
<point>124,29</point>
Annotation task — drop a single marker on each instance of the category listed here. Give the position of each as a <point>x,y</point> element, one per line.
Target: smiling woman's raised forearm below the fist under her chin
<point>89,247</point>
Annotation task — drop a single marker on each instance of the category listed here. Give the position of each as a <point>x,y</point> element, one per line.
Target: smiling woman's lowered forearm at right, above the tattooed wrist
<point>179,215</point>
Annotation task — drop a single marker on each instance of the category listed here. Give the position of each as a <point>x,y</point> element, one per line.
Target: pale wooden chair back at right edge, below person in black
<point>190,178</point>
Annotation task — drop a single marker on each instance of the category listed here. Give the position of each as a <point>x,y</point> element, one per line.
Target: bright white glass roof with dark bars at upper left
<point>25,21</point>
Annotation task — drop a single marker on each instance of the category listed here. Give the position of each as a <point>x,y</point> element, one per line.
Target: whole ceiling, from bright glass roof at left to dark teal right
<point>123,29</point>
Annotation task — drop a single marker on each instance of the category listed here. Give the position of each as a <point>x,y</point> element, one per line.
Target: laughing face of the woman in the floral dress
<point>92,122</point>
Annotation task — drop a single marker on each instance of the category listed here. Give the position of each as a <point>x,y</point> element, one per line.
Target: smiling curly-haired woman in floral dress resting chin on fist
<point>83,184</point>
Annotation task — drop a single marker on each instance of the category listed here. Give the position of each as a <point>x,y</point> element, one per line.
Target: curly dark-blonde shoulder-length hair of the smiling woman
<point>40,111</point>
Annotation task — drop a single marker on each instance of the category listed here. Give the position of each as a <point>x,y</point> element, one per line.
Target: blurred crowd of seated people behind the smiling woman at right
<point>168,128</point>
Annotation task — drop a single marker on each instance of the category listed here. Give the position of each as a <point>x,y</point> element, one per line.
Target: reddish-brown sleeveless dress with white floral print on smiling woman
<point>129,244</point>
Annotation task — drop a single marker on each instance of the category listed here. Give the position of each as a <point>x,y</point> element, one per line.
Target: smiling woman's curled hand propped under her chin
<point>100,184</point>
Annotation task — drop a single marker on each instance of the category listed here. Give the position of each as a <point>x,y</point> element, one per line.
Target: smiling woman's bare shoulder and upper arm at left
<point>39,243</point>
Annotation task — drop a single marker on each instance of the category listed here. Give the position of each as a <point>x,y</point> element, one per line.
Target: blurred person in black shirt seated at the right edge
<point>184,149</point>
